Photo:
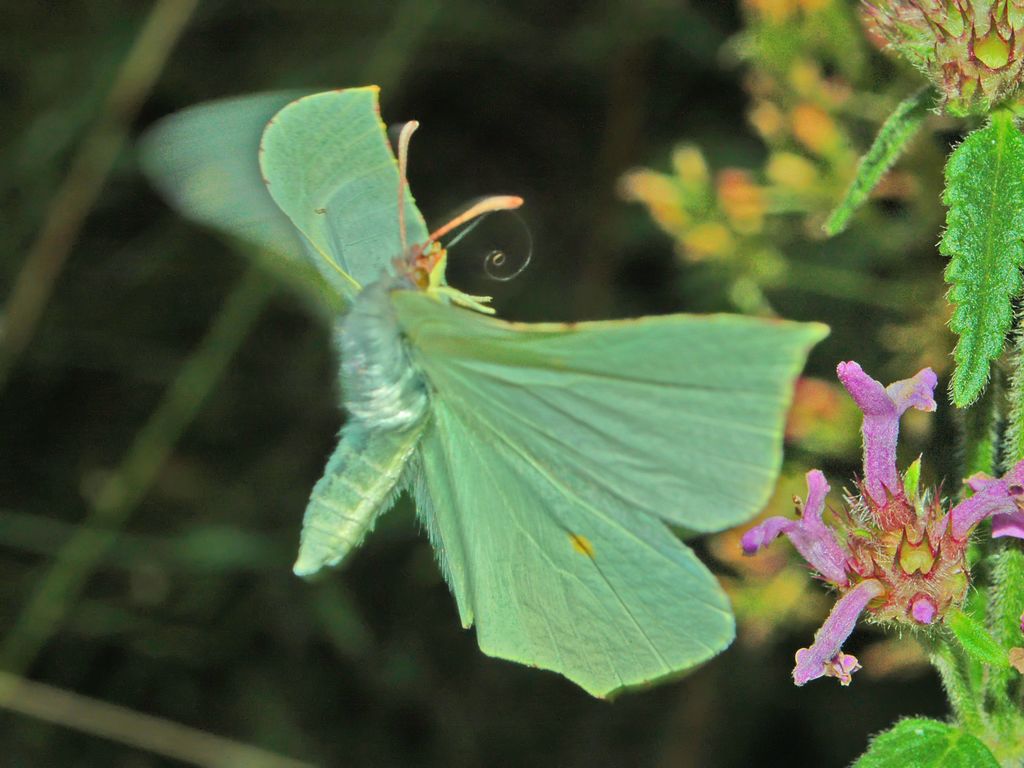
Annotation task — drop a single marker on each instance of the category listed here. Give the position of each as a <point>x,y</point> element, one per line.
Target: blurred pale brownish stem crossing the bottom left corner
<point>134,729</point>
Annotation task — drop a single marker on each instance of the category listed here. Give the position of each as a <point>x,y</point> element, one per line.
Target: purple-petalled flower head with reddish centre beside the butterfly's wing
<point>900,559</point>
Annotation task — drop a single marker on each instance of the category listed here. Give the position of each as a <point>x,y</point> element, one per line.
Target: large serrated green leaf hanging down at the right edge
<point>984,241</point>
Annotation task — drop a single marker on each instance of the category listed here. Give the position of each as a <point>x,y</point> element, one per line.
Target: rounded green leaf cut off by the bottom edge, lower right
<point>919,743</point>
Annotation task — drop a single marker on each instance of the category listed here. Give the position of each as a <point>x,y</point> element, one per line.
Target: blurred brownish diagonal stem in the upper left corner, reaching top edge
<point>90,169</point>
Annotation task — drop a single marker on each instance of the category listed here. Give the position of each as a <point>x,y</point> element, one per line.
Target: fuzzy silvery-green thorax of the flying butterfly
<point>380,386</point>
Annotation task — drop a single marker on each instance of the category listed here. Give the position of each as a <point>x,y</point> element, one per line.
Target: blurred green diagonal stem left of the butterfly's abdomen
<point>126,487</point>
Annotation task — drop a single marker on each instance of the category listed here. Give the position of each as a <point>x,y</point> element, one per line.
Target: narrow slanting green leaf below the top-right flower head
<point>892,139</point>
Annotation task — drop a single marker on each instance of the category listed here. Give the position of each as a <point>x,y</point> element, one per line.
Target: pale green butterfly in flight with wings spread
<point>547,462</point>
